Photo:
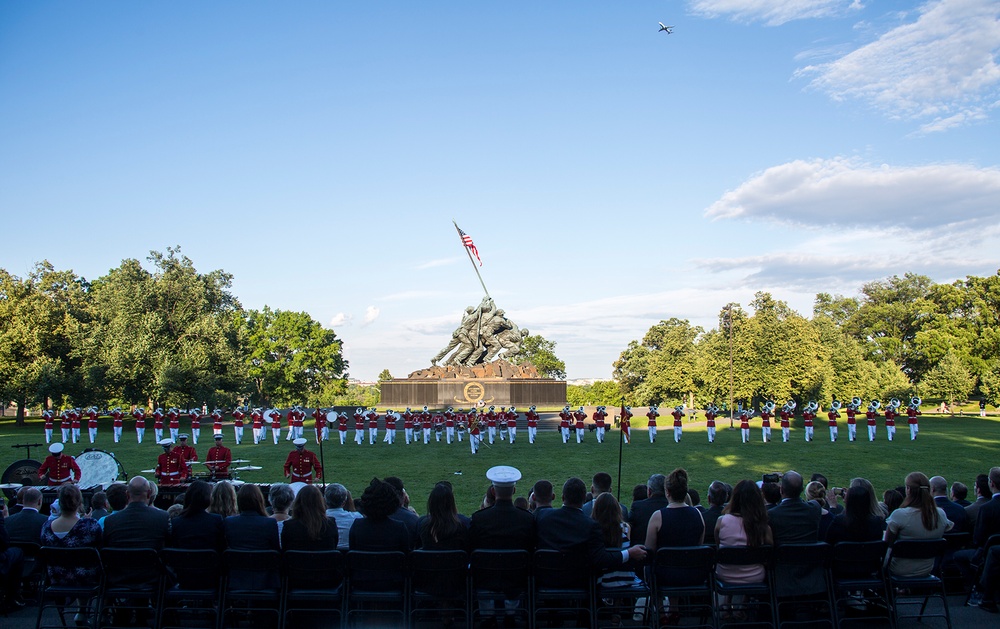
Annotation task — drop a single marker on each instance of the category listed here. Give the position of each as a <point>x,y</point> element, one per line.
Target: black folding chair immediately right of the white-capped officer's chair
<point>564,588</point>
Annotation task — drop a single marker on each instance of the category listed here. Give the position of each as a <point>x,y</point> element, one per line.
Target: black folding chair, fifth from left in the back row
<point>313,584</point>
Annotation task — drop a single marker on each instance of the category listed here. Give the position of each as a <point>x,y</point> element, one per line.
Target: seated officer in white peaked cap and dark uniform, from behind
<point>502,527</point>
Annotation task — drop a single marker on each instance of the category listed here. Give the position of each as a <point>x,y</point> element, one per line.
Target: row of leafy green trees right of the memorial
<point>899,337</point>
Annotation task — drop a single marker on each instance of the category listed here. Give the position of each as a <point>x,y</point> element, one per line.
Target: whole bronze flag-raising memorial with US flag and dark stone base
<point>473,369</point>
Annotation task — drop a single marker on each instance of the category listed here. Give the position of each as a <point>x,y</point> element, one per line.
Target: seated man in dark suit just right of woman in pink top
<point>795,521</point>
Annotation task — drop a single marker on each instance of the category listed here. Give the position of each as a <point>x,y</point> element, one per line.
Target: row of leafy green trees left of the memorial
<point>169,336</point>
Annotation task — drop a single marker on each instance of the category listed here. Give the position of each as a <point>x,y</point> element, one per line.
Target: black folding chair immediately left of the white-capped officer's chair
<point>439,586</point>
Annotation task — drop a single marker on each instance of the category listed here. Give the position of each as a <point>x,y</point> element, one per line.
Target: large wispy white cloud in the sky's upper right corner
<point>943,66</point>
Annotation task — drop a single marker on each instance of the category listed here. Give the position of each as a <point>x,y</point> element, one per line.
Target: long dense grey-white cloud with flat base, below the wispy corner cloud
<point>844,192</point>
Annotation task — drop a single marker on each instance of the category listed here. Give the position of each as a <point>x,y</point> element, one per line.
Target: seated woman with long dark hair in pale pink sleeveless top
<point>744,522</point>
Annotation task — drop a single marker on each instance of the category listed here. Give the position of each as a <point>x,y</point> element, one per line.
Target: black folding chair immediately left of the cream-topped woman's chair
<point>859,584</point>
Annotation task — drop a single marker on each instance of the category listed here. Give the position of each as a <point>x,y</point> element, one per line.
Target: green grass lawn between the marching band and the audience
<point>957,448</point>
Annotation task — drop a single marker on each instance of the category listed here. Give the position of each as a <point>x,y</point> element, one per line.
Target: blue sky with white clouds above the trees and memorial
<point>610,175</point>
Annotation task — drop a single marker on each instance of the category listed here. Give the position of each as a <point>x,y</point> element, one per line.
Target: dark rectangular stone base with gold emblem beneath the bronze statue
<point>464,393</point>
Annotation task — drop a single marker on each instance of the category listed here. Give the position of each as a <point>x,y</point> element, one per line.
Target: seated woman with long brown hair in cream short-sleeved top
<point>917,518</point>
